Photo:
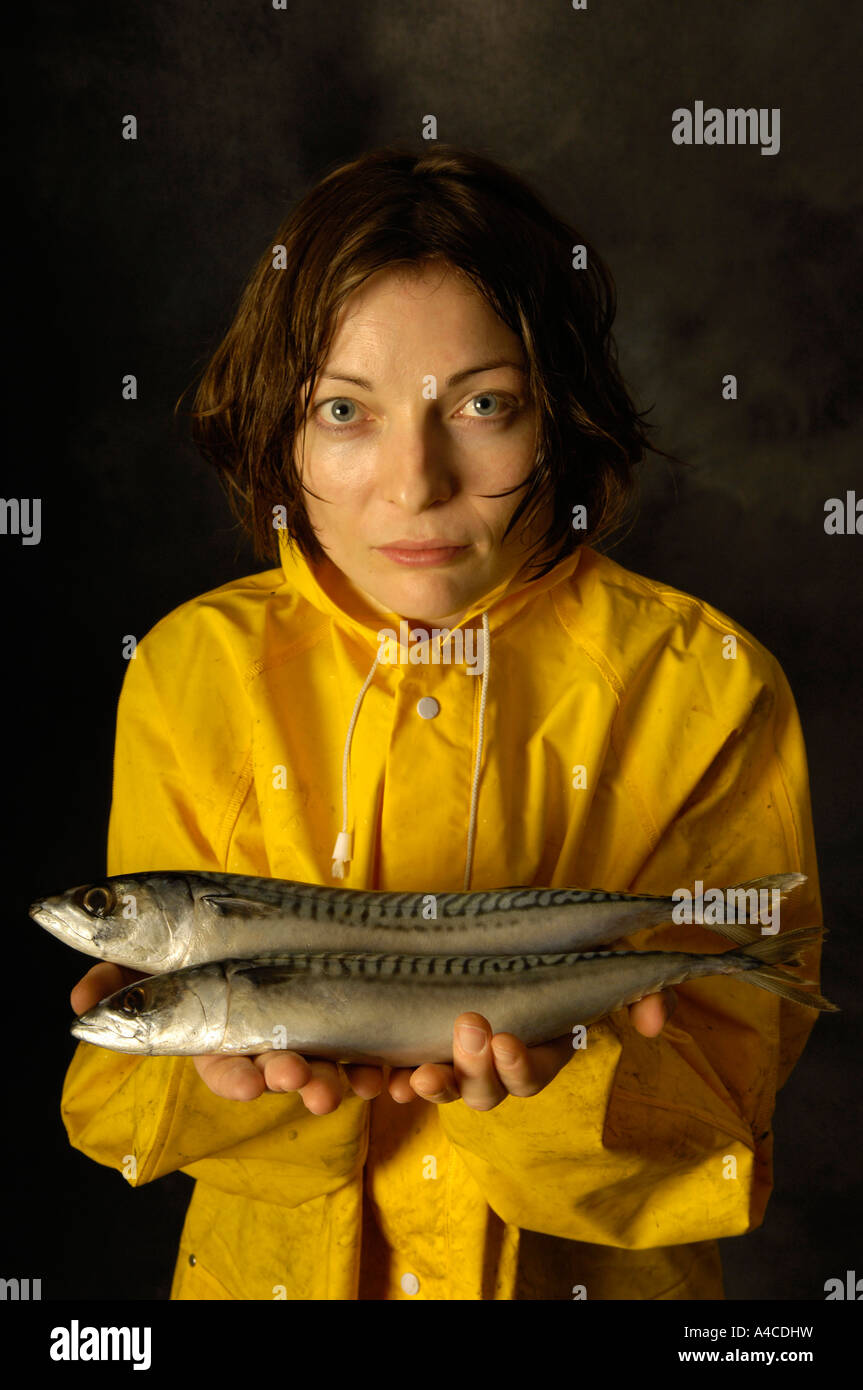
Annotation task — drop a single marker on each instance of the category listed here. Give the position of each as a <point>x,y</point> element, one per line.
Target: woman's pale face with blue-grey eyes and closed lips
<point>419,418</point>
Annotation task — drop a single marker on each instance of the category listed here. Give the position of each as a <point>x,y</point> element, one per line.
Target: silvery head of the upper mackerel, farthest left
<point>129,921</point>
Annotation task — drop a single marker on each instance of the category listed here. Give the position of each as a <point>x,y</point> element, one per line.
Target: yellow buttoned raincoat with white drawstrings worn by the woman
<point>623,1172</point>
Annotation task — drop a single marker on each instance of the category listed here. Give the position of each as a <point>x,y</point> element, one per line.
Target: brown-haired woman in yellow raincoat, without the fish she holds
<point>419,415</point>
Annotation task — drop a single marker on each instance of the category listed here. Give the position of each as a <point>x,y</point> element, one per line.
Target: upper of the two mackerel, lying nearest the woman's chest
<point>158,922</point>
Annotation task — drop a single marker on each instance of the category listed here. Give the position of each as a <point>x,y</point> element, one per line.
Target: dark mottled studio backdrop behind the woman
<point>129,258</point>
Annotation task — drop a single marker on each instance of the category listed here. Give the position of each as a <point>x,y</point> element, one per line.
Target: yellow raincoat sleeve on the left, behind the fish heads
<point>174,804</point>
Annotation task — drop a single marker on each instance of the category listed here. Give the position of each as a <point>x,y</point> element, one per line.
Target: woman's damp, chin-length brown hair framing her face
<point>397,208</point>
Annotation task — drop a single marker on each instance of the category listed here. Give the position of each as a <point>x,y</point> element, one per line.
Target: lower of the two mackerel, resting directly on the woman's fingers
<point>401,1010</point>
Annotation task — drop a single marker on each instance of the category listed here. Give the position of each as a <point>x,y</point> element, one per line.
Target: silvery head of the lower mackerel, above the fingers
<point>180,1014</point>
